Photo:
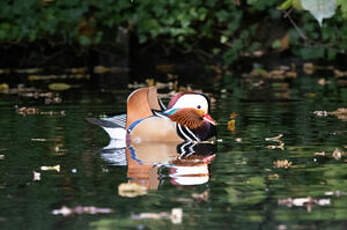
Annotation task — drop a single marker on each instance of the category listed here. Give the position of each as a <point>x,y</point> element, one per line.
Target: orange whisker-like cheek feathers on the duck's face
<point>190,117</point>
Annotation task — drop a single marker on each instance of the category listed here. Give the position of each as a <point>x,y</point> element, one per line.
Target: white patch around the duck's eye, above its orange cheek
<point>192,101</point>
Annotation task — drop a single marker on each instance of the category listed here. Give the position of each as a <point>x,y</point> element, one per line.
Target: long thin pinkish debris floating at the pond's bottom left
<point>66,211</point>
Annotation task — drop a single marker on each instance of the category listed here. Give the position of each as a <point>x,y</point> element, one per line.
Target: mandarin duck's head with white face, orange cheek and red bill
<point>190,109</point>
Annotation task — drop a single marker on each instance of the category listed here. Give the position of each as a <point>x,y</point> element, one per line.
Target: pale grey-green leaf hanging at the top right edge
<point>320,9</point>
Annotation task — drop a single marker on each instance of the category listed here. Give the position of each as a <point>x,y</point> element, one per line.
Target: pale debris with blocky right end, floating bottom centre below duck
<point>175,216</point>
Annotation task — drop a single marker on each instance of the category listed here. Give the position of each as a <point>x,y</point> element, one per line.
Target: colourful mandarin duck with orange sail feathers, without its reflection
<point>147,120</point>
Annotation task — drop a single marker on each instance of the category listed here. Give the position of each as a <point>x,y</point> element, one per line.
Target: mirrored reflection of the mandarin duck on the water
<point>186,163</point>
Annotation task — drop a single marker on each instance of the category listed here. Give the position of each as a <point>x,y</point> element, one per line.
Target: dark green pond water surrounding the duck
<point>245,189</point>
